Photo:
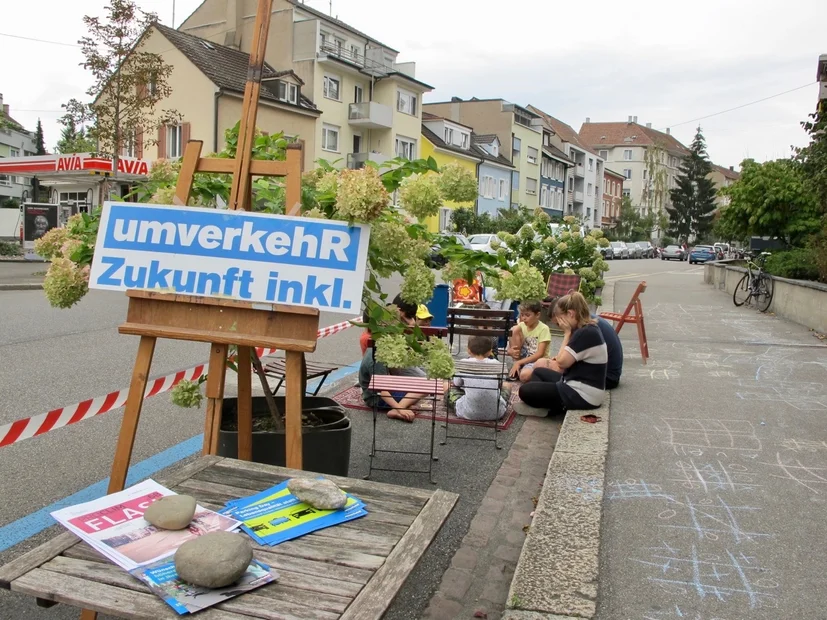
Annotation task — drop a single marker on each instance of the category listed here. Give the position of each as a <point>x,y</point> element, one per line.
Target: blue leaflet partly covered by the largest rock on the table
<point>186,598</point>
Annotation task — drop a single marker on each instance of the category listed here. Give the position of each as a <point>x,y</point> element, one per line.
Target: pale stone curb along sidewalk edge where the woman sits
<point>556,575</point>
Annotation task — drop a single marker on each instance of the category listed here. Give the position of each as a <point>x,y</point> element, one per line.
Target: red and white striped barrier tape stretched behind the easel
<point>64,416</point>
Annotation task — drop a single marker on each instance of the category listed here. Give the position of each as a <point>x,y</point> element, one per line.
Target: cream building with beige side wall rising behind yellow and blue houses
<point>513,125</point>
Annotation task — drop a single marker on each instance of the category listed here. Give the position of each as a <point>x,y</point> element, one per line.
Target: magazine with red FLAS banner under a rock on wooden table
<point>114,525</point>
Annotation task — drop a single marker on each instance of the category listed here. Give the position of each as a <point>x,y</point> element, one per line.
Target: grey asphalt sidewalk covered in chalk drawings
<point>716,479</point>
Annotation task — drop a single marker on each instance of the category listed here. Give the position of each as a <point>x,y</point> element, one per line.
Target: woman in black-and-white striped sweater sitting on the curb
<point>576,378</point>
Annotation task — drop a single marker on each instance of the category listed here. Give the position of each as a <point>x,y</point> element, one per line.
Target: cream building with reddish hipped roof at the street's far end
<point>648,159</point>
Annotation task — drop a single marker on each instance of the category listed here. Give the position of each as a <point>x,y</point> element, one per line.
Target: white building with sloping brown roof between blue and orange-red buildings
<point>584,179</point>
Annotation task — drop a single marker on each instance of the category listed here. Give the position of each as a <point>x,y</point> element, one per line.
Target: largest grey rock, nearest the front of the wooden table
<point>214,560</point>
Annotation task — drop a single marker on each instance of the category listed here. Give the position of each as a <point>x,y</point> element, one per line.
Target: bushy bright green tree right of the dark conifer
<point>771,199</point>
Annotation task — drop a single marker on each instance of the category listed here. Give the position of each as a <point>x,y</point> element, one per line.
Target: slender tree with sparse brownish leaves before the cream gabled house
<point>128,83</point>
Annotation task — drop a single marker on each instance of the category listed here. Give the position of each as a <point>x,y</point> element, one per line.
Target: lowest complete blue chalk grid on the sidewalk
<point>724,578</point>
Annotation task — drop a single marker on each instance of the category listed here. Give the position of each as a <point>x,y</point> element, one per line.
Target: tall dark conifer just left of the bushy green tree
<point>693,200</point>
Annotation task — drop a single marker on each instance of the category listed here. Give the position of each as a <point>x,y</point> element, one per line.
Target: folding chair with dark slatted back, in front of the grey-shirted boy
<point>494,324</point>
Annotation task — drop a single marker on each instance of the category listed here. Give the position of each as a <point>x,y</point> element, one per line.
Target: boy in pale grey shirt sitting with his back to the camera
<point>481,399</point>
